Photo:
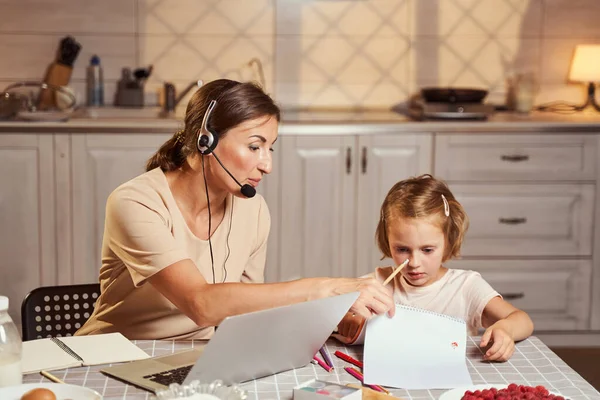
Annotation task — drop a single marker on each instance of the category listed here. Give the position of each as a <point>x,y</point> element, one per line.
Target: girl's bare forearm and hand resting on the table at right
<point>505,324</point>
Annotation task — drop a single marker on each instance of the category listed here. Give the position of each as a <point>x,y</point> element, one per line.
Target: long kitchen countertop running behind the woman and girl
<point>319,122</point>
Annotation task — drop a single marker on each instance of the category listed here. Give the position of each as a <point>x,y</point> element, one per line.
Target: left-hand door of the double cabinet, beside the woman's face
<point>317,207</point>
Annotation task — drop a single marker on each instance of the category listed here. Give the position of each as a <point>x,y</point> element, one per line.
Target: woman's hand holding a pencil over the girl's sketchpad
<point>374,297</point>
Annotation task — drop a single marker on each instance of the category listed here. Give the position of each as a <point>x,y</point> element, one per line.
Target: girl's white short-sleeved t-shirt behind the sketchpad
<point>459,293</point>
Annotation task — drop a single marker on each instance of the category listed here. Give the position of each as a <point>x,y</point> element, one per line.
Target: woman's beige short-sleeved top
<point>145,232</point>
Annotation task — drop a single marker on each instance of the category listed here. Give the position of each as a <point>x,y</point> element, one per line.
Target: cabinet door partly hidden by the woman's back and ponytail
<point>100,163</point>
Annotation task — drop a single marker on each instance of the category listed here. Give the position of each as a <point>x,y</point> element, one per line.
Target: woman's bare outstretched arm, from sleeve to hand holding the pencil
<point>208,304</point>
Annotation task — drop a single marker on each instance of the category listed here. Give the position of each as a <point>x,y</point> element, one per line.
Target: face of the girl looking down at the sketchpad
<point>422,242</point>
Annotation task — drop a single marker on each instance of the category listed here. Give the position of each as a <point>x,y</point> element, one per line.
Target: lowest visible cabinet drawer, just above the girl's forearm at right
<point>555,293</point>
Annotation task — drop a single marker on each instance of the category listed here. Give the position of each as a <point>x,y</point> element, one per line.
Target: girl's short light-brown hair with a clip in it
<point>423,197</point>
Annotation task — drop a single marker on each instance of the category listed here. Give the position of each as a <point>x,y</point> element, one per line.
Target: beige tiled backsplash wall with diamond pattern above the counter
<point>334,53</point>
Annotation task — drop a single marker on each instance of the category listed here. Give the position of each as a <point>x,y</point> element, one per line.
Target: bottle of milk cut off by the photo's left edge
<point>10,348</point>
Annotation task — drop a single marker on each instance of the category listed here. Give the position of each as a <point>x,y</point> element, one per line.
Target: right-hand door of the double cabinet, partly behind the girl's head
<point>383,161</point>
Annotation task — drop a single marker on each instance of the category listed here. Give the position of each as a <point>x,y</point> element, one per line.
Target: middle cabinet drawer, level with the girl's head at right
<point>527,220</point>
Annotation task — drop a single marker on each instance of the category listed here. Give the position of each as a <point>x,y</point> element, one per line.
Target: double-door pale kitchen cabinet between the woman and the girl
<point>331,190</point>
